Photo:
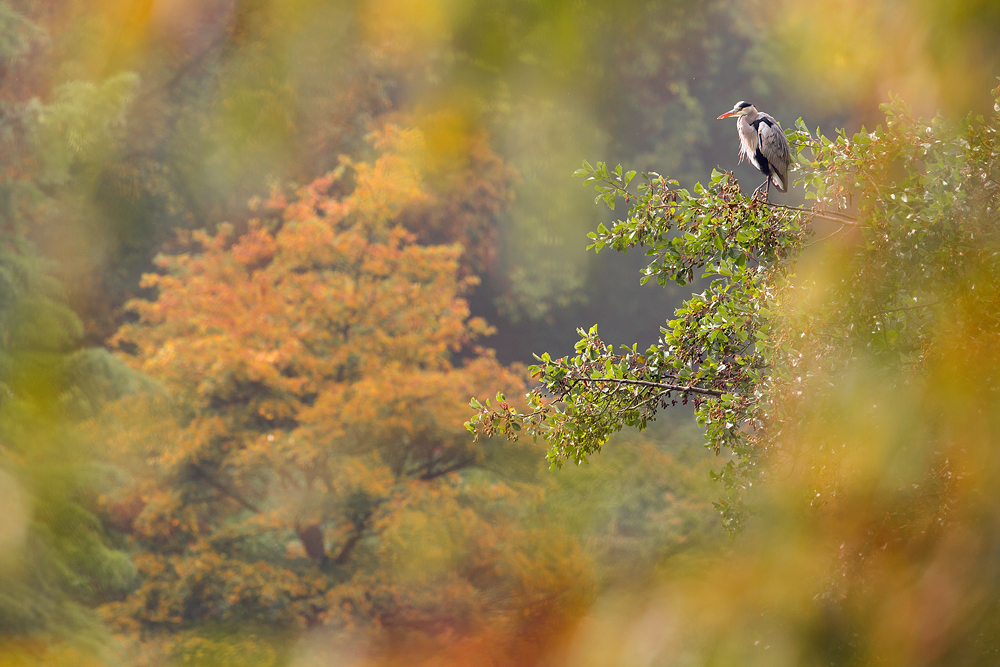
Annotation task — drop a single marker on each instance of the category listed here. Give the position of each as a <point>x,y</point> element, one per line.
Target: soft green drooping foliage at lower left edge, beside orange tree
<point>54,559</point>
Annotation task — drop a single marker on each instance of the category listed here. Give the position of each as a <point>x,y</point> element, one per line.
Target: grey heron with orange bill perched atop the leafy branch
<point>762,143</point>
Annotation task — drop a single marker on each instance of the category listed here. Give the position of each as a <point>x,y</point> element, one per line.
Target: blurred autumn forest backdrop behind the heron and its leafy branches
<point>255,256</point>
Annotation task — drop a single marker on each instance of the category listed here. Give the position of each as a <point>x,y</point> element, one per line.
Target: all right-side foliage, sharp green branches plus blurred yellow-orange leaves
<point>854,379</point>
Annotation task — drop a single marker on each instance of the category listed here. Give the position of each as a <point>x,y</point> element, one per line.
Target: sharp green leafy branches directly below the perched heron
<point>711,352</point>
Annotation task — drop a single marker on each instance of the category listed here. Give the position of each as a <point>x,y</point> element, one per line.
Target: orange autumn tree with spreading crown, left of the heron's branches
<point>311,466</point>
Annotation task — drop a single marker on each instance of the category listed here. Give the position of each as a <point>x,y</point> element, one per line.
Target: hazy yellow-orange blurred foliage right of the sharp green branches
<point>880,461</point>
